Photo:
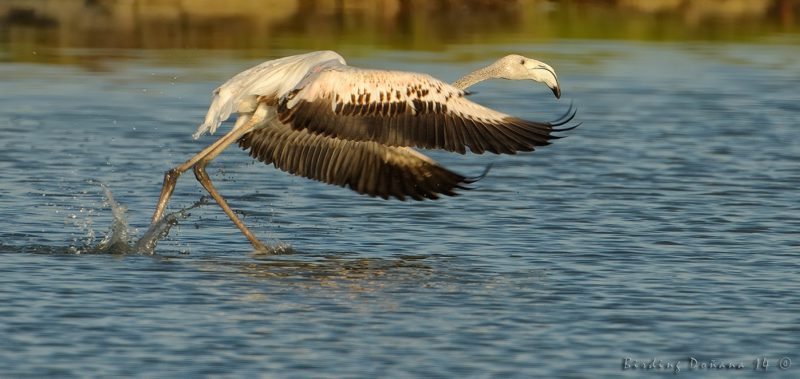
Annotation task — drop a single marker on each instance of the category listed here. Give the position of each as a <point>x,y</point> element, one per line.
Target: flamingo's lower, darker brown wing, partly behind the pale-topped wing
<point>367,167</point>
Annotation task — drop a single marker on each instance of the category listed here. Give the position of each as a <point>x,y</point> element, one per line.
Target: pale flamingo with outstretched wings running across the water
<point>314,116</point>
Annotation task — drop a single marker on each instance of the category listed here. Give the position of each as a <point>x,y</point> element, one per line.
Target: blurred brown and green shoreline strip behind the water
<point>395,24</point>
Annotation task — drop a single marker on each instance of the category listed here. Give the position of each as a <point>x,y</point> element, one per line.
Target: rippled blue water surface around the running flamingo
<point>665,227</point>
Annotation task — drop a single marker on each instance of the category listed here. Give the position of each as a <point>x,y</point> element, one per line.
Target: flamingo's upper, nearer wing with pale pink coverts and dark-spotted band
<point>406,109</point>
